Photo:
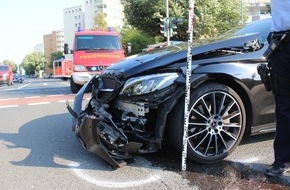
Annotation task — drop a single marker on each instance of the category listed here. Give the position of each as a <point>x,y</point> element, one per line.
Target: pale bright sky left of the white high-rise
<point>24,22</point>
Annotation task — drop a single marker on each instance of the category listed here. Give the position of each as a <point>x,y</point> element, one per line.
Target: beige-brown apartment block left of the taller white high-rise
<point>52,43</point>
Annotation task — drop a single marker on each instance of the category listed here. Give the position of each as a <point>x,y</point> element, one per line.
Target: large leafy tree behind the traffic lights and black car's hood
<point>212,17</point>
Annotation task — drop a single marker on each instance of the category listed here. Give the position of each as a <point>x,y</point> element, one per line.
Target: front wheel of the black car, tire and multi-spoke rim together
<point>217,121</point>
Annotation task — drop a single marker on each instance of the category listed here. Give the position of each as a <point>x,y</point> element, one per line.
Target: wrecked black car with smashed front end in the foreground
<point>137,103</point>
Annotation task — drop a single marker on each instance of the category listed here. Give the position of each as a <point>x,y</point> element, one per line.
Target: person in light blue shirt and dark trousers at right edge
<point>280,81</point>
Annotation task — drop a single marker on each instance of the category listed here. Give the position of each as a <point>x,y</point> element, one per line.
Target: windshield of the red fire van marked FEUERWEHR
<point>100,42</point>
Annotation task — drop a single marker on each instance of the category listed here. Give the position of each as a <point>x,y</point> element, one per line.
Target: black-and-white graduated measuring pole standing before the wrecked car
<point>188,76</point>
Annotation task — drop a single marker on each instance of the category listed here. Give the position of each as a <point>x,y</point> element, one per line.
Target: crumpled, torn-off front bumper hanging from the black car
<point>98,137</point>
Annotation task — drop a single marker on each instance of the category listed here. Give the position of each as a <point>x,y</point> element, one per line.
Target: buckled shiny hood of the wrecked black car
<point>147,61</point>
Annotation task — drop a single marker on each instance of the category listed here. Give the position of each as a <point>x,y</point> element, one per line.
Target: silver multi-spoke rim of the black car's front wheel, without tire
<point>215,124</point>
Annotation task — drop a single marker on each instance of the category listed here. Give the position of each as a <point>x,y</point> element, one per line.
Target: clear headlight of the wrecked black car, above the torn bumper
<point>149,83</point>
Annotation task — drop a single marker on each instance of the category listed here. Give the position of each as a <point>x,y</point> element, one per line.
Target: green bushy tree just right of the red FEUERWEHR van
<point>137,39</point>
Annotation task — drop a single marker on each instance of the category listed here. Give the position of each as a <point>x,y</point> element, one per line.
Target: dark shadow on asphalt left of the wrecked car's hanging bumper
<point>51,143</point>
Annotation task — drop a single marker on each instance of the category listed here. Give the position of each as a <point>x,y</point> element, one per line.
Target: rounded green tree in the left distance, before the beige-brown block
<point>33,62</point>
